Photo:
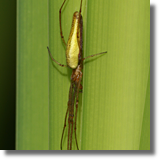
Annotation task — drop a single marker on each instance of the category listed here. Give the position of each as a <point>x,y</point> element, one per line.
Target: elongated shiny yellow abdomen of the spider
<point>72,50</point>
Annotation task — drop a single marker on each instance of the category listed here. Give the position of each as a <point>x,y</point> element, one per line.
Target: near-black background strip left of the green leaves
<point>7,73</point>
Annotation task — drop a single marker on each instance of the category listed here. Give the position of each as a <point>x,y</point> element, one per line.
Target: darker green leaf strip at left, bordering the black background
<point>32,75</point>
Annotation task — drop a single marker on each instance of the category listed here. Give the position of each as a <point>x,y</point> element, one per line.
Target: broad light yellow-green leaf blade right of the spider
<point>115,84</point>
